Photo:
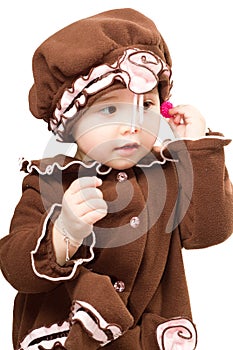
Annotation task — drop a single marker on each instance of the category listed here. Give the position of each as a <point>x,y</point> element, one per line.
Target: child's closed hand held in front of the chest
<point>82,206</point>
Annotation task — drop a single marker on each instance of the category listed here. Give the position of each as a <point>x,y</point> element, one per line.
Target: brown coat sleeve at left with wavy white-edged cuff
<point>27,257</point>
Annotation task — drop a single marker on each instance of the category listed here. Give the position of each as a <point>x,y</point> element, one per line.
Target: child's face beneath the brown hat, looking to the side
<point>105,132</point>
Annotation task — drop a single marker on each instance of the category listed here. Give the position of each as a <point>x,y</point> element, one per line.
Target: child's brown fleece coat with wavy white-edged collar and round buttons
<point>187,204</point>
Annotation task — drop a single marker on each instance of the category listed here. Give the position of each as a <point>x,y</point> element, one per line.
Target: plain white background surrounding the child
<point>199,35</point>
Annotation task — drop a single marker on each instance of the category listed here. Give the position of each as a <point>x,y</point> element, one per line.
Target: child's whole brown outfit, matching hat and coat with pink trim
<point>125,287</point>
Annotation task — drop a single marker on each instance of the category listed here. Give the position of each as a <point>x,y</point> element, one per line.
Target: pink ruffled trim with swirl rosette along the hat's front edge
<point>139,70</point>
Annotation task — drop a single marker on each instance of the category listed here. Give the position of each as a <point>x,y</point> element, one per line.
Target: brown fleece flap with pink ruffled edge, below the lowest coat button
<point>98,308</point>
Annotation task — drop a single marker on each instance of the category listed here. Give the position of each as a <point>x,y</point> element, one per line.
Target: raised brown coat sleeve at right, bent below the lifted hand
<point>205,204</point>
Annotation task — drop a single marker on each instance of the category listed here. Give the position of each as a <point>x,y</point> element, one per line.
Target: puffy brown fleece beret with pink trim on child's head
<point>90,55</point>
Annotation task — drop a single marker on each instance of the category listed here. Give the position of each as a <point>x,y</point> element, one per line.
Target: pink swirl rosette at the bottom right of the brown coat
<point>177,334</point>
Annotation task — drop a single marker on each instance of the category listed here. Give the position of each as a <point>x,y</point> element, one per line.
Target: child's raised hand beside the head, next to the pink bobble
<point>187,121</point>
